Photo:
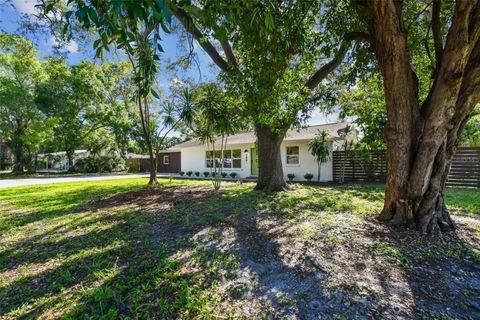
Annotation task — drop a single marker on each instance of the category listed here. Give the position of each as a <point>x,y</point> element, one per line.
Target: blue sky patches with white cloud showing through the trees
<point>11,12</point>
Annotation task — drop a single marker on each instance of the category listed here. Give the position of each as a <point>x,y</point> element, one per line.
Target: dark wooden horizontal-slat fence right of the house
<point>371,166</point>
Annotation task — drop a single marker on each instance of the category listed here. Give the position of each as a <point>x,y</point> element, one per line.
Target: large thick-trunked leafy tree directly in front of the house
<point>270,56</point>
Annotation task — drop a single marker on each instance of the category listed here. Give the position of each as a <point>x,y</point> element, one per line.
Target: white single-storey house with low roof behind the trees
<point>241,156</point>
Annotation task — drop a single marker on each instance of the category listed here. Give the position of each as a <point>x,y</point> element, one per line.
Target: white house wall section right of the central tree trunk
<point>307,163</point>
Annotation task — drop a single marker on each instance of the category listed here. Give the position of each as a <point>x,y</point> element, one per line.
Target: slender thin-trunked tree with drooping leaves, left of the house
<point>133,26</point>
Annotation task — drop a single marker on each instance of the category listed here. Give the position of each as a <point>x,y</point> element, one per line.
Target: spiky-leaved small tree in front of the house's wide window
<point>215,121</point>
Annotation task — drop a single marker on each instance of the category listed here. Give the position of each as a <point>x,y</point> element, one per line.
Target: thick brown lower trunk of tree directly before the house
<point>270,170</point>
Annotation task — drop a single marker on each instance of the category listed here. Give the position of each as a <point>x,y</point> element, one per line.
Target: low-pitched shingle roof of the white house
<point>295,134</point>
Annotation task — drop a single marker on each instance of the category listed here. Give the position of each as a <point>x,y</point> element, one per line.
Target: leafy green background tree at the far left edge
<point>20,120</point>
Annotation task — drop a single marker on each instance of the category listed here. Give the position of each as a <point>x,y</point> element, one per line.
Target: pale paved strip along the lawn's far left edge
<point>7,183</point>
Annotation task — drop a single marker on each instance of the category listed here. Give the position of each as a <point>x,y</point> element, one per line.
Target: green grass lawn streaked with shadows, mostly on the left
<point>109,249</point>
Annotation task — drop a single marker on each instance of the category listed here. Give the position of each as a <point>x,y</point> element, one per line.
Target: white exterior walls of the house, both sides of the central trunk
<point>194,159</point>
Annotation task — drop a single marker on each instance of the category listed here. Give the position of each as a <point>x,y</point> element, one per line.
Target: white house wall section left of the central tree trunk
<point>194,159</point>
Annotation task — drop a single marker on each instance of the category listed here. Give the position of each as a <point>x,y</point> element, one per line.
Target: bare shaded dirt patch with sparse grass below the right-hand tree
<point>311,264</point>
